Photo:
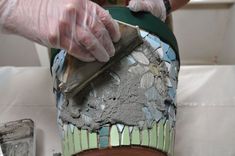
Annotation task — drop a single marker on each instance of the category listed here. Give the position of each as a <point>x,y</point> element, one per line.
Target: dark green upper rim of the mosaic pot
<point>145,21</point>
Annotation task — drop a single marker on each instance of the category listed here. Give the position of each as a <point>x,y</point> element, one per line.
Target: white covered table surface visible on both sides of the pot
<point>205,117</point>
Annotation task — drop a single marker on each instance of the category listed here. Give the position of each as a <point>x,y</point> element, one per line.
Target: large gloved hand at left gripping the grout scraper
<point>81,27</point>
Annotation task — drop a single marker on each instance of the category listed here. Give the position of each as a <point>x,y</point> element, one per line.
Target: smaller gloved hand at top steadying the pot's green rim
<point>156,7</point>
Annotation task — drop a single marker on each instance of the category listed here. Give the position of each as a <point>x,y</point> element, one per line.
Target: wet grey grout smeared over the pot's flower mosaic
<point>122,95</point>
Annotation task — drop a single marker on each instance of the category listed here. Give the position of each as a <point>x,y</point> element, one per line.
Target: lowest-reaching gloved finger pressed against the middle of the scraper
<point>91,44</point>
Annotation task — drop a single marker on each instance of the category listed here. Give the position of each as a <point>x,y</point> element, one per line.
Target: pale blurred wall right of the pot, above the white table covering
<point>206,33</point>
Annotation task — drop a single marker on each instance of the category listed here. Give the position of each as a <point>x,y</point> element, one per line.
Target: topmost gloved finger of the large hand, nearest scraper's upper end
<point>109,23</point>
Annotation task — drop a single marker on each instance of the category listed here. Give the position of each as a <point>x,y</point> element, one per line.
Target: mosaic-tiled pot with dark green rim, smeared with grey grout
<point>132,104</point>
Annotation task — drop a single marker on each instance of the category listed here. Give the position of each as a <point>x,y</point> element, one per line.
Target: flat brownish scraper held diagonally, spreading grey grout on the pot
<point>78,74</point>
